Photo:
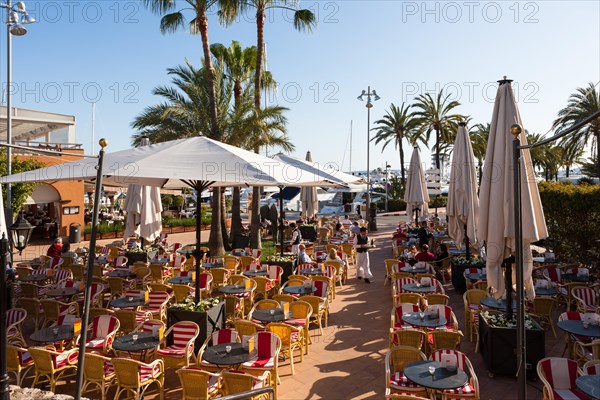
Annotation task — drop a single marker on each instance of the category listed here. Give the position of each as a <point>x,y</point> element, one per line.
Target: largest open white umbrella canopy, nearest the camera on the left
<point>177,163</point>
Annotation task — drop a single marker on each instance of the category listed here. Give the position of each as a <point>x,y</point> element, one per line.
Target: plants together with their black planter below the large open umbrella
<point>209,314</point>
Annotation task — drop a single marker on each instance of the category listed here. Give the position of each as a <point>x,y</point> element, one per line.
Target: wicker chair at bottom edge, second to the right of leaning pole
<point>136,377</point>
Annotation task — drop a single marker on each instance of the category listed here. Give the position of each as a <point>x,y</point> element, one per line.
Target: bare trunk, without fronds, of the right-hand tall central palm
<point>255,240</point>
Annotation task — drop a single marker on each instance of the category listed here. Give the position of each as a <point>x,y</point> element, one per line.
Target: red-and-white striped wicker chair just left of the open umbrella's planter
<point>181,351</point>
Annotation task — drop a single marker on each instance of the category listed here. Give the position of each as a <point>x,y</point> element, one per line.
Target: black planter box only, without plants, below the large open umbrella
<point>210,321</point>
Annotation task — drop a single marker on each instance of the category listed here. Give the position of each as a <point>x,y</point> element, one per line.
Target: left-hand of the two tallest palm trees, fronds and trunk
<point>170,22</point>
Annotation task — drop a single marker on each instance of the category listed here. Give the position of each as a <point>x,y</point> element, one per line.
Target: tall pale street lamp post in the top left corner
<point>13,27</point>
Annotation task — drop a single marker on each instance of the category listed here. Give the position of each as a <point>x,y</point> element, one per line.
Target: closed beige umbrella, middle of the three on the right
<point>463,204</point>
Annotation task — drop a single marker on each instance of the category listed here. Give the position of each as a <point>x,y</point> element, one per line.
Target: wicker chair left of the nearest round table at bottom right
<point>395,360</point>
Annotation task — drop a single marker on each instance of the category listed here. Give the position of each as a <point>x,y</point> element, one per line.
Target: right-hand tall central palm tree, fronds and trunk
<point>304,20</point>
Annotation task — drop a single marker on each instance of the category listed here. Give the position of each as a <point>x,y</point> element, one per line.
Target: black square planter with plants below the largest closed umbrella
<point>498,343</point>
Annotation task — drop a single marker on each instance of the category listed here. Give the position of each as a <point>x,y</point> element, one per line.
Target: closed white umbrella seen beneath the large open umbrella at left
<point>144,209</point>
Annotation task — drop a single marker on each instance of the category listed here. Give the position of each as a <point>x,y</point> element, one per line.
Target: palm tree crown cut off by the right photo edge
<point>581,105</point>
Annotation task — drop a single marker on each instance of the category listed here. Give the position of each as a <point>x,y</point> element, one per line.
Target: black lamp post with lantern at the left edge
<point>20,232</point>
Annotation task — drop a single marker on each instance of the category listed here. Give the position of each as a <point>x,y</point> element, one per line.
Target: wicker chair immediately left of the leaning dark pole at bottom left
<point>53,366</point>
